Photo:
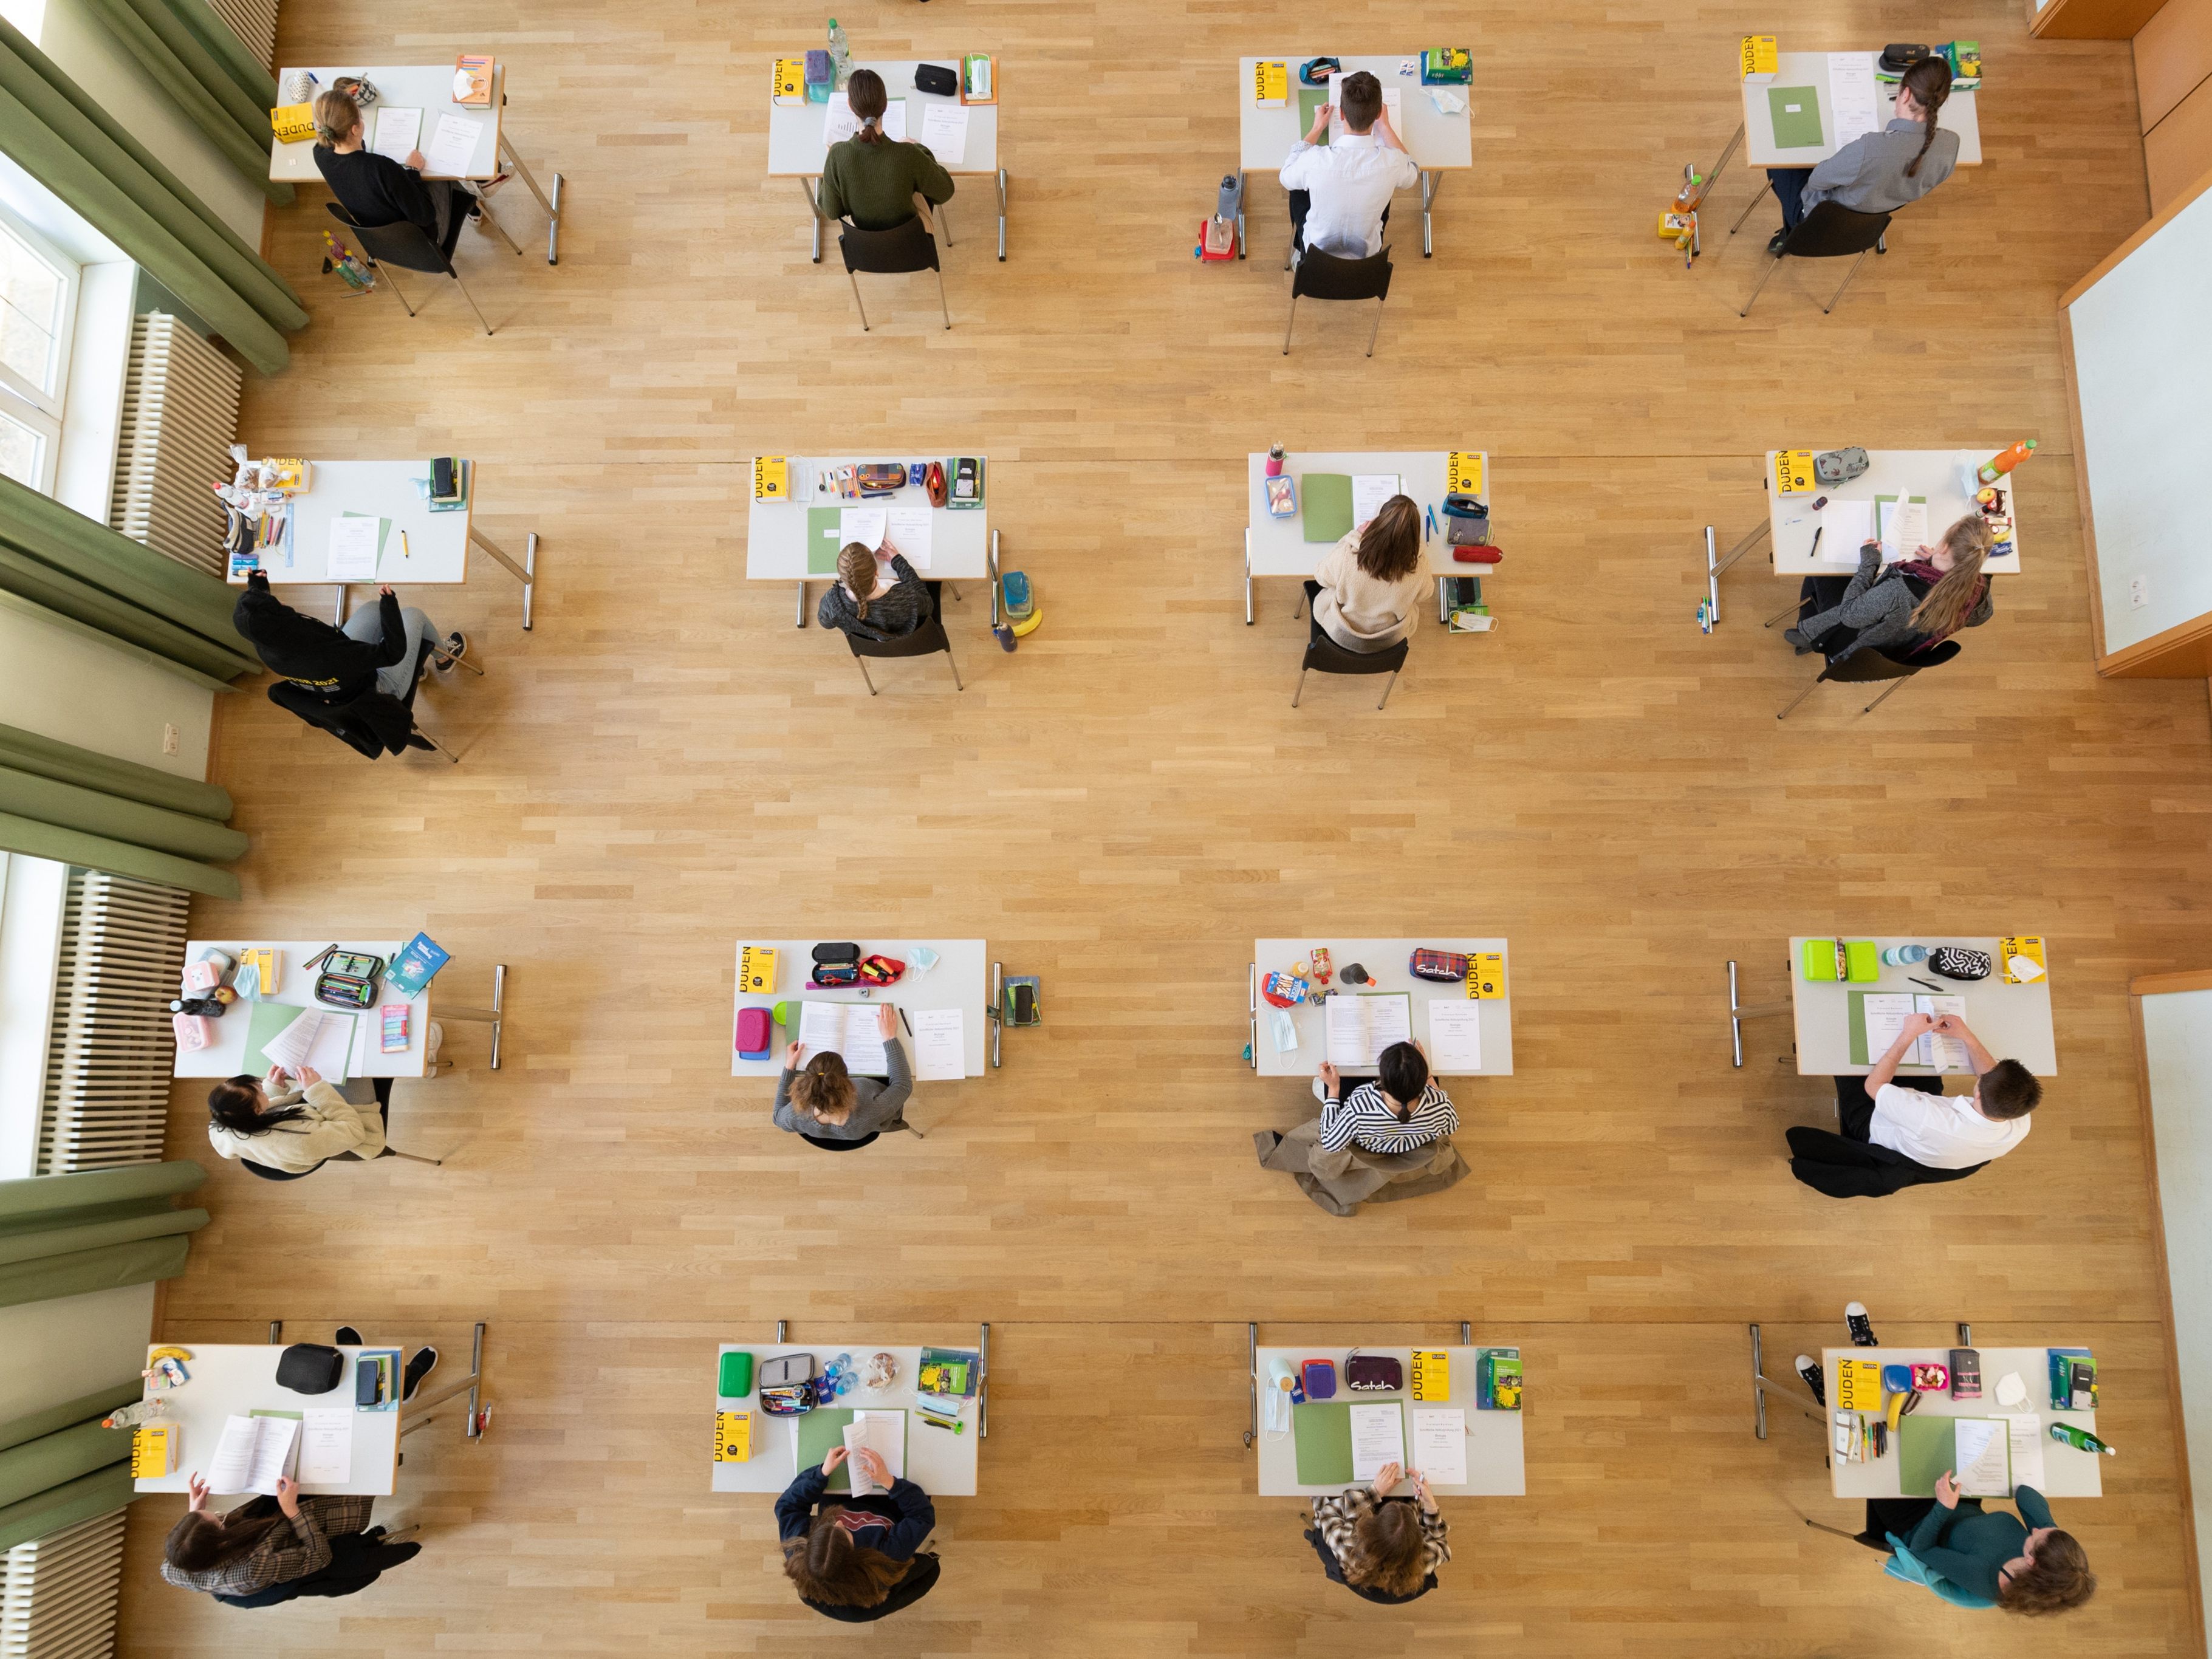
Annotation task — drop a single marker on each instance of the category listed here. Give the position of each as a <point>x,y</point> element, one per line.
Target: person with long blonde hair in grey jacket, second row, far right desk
<point>1906,609</point>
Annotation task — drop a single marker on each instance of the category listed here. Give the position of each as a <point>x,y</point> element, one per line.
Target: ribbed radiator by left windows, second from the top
<point>180,417</point>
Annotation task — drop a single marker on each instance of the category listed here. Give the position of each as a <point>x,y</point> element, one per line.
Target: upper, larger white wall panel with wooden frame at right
<point>2145,373</point>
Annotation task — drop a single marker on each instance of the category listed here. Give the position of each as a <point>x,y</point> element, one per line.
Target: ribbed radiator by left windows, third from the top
<point>109,1050</point>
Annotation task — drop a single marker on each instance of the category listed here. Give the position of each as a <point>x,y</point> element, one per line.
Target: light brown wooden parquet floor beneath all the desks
<point>665,766</point>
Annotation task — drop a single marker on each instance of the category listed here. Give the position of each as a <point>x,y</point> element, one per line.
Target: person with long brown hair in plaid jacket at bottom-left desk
<point>275,1550</point>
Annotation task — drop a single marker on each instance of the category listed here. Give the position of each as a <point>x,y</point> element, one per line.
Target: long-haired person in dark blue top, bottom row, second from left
<point>857,1558</point>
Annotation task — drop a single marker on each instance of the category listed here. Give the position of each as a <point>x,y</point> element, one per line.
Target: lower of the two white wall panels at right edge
<point>2178,1041</point>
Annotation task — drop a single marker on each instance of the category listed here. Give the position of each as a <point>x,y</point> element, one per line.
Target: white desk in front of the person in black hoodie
<point>424,547</point>
